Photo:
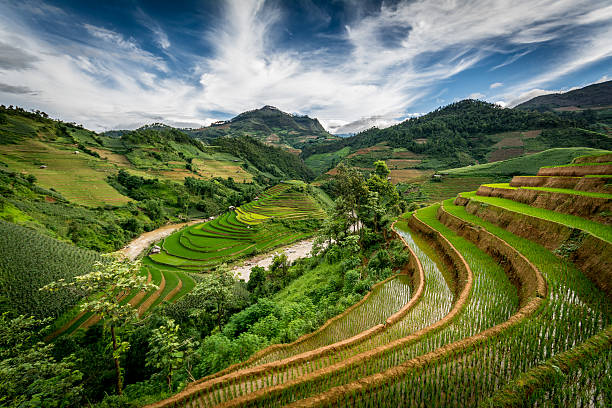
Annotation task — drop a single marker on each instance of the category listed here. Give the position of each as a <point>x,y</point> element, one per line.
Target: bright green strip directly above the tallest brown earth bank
<point>599,230</point>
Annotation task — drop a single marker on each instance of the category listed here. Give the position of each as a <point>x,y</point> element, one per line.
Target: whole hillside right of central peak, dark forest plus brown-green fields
<point>463,133</point>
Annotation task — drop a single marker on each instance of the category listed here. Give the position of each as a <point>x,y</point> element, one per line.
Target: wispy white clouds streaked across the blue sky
<point>106,79</point>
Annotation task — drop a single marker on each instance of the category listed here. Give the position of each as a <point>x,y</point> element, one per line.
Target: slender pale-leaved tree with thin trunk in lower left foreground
<point>103,290</point>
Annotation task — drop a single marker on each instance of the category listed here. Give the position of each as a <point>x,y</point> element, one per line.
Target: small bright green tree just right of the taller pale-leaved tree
<point>167,351</point>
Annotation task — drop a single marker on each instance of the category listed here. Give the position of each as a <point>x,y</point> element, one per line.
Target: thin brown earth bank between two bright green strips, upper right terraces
<point>593,208</point>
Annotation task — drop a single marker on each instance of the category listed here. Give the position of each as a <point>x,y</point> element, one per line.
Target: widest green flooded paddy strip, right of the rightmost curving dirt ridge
<point>575,310</point>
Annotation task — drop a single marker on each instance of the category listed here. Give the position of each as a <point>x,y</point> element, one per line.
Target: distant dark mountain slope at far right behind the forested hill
<point>592,96</point>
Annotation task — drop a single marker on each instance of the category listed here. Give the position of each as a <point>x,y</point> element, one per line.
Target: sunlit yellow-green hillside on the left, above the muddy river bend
<point>100,190</point>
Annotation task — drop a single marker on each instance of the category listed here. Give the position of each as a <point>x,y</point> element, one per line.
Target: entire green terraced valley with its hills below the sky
<point>457,259</point>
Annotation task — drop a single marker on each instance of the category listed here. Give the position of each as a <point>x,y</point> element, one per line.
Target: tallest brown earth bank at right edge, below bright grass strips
<point>592,255</point>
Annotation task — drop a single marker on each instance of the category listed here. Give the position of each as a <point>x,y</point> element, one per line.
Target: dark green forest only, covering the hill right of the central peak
<point>459,134</point>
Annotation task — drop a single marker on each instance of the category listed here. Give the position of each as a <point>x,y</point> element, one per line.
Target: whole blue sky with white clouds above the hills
<point>120,64</point>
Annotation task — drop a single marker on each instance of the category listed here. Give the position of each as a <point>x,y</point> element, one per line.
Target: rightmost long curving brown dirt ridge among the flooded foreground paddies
<point>531,297</point>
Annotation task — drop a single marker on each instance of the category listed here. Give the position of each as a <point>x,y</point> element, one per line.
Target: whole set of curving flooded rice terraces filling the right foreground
<point>492,312</point>
